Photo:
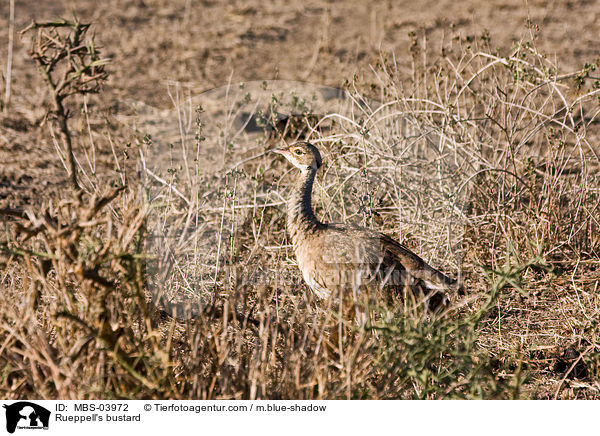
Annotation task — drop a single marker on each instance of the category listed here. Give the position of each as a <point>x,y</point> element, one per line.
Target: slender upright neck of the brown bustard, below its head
<point>300,216</point>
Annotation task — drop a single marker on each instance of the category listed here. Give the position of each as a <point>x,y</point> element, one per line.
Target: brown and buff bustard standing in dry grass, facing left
<point>351,259</point>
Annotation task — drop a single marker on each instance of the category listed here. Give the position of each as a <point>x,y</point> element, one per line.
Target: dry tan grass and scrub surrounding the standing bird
<point>484,163</point>
